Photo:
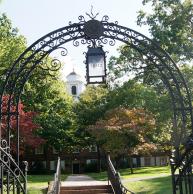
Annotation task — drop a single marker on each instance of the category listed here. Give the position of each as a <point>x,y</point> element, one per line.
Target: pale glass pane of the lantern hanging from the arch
<point>96,65</point>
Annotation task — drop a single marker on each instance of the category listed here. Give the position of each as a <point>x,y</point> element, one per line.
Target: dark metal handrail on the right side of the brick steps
<point>115,180</point>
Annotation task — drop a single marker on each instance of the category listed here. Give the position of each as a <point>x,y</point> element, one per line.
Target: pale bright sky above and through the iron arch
<point>35,18</point>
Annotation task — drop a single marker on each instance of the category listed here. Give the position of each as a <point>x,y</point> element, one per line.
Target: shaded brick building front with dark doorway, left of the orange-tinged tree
<point>43,159</point>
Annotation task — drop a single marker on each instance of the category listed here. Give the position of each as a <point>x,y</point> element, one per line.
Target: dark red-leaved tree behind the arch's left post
<point>27,127</point>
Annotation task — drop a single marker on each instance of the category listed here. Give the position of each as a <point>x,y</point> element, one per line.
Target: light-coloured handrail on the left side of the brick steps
<point>54,187</point>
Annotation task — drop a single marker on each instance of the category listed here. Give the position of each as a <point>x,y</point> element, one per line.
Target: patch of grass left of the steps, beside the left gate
<point>38,183</point>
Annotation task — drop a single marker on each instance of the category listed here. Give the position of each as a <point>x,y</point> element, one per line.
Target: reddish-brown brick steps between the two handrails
<point>94,189</point>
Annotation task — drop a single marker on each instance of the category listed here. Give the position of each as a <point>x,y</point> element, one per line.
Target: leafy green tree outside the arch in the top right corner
<point>171,25</point>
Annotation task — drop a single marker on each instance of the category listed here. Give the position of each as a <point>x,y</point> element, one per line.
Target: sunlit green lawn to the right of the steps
<point>161,185</point>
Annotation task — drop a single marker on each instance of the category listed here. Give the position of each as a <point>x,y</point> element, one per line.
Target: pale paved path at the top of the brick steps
<point>81,180</point>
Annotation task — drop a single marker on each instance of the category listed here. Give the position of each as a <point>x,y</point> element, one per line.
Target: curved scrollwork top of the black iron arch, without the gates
<point>95,33</point>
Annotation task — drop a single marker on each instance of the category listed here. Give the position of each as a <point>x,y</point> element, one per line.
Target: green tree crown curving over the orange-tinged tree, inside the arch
<point>137,95</point>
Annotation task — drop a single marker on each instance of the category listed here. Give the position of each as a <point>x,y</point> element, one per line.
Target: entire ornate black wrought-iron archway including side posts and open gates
<point>98,33</point>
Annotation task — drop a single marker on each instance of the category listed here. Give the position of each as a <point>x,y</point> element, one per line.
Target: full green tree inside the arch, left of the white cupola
<point>55,116</point>
